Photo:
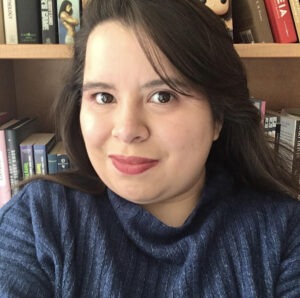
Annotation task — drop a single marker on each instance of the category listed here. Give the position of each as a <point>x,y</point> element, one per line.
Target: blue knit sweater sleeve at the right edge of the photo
<point>288,284</point>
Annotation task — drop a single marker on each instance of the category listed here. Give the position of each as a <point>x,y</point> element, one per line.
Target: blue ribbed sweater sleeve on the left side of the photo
<point>21,274</point>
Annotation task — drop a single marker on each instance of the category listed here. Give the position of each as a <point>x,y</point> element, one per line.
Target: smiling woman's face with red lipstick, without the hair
<point>146,142</point>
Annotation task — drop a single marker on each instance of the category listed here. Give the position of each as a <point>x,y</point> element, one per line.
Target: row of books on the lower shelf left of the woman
<point>24,152</point>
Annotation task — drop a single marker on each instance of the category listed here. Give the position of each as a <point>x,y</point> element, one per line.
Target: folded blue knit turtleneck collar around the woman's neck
<point>159,240</point>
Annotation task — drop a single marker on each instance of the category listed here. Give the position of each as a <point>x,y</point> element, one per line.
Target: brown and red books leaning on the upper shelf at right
<point>257,21</point>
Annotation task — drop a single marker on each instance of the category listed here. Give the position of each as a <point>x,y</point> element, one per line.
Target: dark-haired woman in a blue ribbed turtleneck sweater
<point>175,191</point>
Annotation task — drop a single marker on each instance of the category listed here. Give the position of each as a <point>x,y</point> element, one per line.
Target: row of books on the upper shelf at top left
<point>39,21</point>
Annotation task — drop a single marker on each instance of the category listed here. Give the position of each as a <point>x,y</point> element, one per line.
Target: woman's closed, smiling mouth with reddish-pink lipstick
<point>132,165</point>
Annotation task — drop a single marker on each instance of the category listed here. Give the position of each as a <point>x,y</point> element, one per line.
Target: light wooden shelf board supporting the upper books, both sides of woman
<point>58,51</point>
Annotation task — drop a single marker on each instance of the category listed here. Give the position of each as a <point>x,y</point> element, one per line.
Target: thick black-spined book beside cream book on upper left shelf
<point>29,21</point>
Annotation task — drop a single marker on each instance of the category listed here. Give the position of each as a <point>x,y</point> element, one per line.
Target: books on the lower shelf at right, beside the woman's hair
<point>283,131</point>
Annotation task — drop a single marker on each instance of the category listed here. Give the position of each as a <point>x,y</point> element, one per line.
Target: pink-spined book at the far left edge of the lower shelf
<point>5,189</point>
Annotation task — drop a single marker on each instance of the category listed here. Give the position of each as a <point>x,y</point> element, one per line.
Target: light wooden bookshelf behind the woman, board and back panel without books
<point>30,76</point>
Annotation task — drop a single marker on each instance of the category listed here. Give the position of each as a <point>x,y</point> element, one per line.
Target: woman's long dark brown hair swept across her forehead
<point>196,43</point>
